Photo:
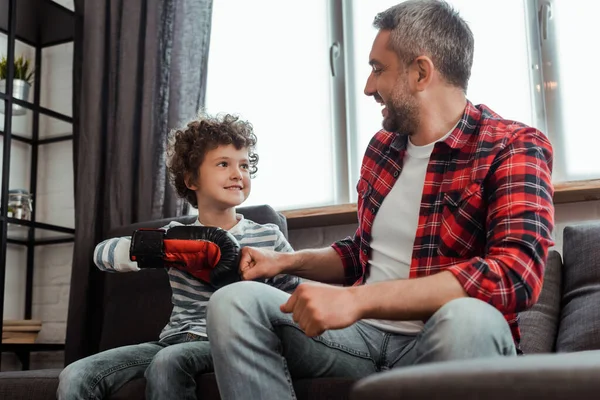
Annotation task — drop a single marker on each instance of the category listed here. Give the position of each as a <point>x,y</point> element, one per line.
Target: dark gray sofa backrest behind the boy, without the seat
<point>137,305</point>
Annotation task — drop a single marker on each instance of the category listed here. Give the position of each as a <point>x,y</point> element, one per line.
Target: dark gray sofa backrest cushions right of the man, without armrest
<point>566,317</point>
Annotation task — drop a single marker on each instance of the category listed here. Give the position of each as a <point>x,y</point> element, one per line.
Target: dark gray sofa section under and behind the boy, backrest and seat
<point>133,308</point>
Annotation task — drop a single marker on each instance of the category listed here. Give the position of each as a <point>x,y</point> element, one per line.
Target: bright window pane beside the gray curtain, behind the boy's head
<point>269,63</point>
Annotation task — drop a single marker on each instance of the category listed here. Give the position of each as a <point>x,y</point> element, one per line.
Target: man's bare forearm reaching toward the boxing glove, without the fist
<point>323,265</point>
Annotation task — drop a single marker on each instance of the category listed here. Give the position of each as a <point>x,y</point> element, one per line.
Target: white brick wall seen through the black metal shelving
<point>54,205</point>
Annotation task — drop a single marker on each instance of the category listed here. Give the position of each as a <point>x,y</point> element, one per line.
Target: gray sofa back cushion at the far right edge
<point>579,327</point>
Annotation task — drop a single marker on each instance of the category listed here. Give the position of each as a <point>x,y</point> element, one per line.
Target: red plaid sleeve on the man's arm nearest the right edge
<point>519,226</point>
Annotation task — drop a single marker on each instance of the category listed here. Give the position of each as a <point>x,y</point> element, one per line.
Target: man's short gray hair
<point>432,28</point>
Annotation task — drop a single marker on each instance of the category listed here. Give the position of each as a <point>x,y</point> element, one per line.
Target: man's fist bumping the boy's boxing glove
<point>258,263</point>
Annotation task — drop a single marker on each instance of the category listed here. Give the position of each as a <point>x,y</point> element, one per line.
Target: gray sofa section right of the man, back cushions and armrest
<point>566,320</point>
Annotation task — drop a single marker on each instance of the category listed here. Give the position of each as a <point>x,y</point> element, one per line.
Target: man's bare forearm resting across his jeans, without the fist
<point>407,299</point>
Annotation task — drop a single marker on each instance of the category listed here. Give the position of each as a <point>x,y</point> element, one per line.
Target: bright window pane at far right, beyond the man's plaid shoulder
<point>568,31</point>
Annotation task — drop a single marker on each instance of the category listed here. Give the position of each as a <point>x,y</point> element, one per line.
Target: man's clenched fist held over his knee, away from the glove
<point>317,307</point>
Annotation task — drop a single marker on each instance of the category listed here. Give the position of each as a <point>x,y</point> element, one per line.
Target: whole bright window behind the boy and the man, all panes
<point>271,64</point>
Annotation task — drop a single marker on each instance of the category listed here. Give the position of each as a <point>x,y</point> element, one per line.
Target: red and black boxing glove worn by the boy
<point>210,254</point>
